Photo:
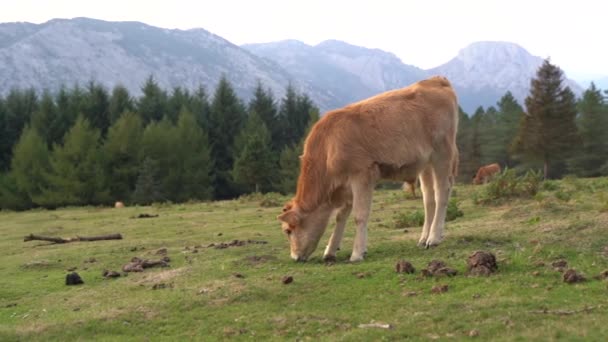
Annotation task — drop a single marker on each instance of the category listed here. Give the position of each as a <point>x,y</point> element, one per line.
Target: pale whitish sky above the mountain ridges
<point>424,33</point>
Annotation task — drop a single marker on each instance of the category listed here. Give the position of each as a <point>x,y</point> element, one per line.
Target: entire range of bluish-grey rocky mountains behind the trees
<point>333,73</point>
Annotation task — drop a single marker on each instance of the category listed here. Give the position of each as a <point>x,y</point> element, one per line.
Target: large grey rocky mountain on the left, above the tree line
<point>65,52</point>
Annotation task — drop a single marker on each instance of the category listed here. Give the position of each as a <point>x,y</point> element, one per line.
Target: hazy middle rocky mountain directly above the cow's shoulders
<point>347,73</point>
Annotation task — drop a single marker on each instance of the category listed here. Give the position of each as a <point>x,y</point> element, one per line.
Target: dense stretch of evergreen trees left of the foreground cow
<point>89,146</point>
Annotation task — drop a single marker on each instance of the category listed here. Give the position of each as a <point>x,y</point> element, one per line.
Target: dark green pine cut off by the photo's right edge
<point>593,123</point>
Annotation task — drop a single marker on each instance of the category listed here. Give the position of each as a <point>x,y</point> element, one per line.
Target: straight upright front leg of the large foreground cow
<point>362,202</point>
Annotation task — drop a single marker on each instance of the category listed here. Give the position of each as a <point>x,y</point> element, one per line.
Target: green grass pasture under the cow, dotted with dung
<point>203,300</point>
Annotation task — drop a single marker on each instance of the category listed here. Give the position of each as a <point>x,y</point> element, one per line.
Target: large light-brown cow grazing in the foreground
<point>399,135</point>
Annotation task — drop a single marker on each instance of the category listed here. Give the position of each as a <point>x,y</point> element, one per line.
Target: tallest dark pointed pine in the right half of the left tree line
<point>225,122</point>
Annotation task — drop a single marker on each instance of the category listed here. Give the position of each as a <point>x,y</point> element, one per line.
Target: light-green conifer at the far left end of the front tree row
<point>30,164</point>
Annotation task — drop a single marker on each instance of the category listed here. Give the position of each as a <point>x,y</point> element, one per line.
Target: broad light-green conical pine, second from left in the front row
<point>76,173</point>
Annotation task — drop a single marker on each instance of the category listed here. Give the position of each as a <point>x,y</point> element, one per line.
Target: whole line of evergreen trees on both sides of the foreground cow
<point>91,146</point>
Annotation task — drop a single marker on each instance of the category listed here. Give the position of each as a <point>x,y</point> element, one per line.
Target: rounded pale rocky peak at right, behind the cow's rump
<point>484,71</point>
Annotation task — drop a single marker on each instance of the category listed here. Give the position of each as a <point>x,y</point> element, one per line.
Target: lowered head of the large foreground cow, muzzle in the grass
<point>303,230</point>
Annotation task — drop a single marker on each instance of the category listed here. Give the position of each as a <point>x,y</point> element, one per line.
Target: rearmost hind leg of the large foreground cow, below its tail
<point>442,176</point>
